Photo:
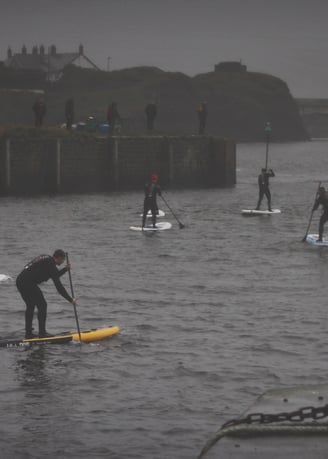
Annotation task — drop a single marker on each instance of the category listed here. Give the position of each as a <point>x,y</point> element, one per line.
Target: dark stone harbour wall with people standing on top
<point>75,165</point>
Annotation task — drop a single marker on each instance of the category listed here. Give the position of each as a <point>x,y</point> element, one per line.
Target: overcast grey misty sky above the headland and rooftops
<point>285,38</point>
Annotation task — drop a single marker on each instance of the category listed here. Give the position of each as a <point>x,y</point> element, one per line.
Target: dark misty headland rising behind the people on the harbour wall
<point>239,103</point>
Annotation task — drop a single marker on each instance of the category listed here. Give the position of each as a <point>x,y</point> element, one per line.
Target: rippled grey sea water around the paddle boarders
<point>211,315</point>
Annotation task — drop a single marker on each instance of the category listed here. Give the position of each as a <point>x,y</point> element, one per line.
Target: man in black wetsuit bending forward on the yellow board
<point>41,269</point>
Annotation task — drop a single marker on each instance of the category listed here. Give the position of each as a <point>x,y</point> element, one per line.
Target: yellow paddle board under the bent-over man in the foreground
<point>87,336</point>
